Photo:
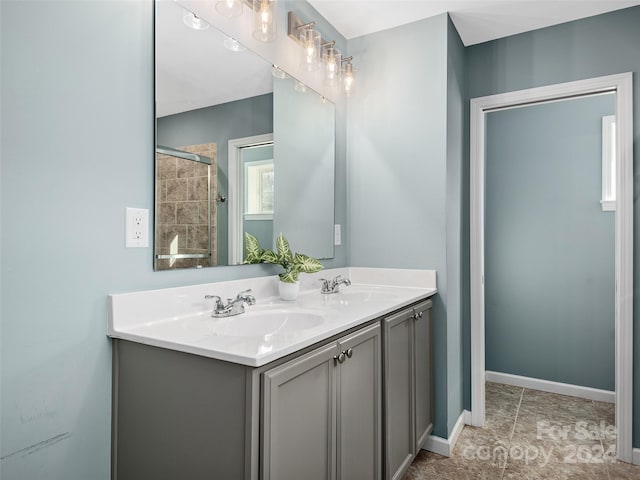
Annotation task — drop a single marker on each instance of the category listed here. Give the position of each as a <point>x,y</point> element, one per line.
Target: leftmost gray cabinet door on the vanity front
<point>298,438</point>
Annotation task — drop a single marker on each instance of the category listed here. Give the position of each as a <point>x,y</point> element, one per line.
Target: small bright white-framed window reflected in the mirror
<point>258,177</point>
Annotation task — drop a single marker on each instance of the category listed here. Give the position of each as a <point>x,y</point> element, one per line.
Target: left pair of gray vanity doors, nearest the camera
<point>322,412</point>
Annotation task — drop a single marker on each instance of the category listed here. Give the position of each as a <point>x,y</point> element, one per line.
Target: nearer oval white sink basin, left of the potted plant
<point>263,324</point>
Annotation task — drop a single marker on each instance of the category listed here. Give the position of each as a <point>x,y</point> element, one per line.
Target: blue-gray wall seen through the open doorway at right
<point>549,246</point>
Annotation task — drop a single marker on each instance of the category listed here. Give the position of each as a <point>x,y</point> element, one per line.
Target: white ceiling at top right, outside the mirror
<point>477,21</point>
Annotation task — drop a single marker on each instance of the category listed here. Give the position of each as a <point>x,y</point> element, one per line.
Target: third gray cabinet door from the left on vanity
<point>399,394</point>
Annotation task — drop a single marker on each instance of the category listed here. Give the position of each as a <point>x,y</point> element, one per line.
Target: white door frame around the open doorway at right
<point>622,85</point>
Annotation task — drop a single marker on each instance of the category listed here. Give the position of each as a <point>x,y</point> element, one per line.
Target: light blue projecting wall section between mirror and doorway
<point>404,192</point>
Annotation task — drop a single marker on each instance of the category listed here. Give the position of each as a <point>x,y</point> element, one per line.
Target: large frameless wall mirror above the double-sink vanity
<point>233,155</point>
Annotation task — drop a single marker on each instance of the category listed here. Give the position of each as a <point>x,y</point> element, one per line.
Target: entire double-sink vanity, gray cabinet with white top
<point>339,388</point>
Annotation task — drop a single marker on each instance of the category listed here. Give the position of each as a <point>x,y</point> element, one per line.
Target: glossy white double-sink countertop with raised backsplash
<point>180,318</point>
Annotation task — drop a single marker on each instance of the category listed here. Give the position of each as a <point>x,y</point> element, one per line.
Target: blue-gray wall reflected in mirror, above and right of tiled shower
<point>219,124</point>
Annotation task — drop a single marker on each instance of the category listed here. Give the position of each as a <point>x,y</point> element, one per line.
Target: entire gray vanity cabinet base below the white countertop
<point>317,414</point>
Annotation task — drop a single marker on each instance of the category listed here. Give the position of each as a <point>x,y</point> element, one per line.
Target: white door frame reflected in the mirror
<point>236,193</point>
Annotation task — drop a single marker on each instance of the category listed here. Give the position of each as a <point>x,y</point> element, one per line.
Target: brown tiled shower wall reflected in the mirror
<point>182,215</point>
